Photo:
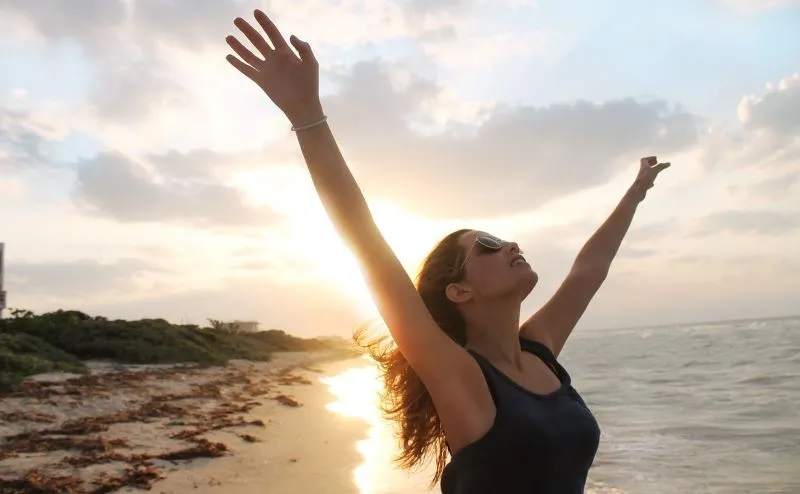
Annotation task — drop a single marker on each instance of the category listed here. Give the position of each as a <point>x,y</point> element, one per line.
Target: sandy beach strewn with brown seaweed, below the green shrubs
<point>241,428</point>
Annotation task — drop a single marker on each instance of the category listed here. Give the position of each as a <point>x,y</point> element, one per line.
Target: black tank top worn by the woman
<point>538,444</point>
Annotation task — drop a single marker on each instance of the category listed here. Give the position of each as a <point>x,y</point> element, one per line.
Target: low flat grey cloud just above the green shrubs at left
<point>75,278</point>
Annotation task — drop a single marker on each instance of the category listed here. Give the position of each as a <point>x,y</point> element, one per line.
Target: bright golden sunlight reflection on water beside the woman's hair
<point>357,395</point>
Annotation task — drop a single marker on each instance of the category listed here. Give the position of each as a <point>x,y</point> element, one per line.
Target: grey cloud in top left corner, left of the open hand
<point>131,79</point>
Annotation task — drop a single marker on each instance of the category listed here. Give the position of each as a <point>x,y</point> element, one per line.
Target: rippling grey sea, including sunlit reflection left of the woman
<point>695,408</point>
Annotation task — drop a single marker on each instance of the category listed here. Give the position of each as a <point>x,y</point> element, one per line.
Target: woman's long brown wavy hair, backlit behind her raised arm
<point>406,401</point>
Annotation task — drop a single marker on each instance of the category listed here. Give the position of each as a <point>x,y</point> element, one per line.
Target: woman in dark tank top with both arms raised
<point>464,378</point>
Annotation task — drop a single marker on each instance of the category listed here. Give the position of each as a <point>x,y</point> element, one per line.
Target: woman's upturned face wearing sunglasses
<point>494,268</point>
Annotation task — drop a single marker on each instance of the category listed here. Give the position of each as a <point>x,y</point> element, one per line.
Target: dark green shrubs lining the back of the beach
<point>61,340</point>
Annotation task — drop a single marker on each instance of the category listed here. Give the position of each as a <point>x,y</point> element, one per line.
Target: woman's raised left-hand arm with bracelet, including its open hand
<point>292,83</point>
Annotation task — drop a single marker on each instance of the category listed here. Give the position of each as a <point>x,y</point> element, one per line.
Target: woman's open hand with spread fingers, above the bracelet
<point>291,82</point>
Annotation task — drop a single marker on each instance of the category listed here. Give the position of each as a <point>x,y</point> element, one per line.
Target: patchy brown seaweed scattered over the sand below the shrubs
<point>232,393</point>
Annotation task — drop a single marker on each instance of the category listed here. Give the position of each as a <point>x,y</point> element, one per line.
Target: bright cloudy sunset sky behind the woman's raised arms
<point>143,177</point>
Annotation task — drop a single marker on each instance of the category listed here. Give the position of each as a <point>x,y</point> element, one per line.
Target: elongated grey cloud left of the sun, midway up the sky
<point>113,185</point>
